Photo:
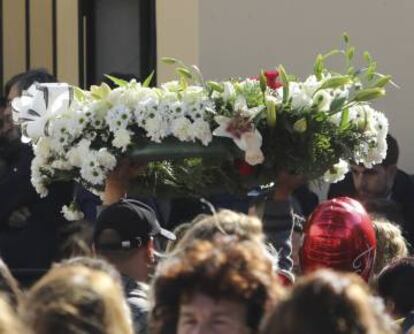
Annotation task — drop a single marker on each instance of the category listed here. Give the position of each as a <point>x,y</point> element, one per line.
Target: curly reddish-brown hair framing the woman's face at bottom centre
<point>236,271</point>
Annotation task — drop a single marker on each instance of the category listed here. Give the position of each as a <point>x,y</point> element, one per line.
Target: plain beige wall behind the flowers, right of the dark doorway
<point>239,37</point>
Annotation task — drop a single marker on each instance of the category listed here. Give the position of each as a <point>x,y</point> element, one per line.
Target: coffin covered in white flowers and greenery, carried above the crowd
<point>198,136</point>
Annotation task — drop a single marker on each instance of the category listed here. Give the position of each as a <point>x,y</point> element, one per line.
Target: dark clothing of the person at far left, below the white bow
<point>35,244</point>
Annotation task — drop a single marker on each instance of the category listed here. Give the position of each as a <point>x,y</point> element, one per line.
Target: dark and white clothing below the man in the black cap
<point>136,294</point>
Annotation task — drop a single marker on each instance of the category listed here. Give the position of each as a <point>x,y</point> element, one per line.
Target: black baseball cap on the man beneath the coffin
<point>133,222</point>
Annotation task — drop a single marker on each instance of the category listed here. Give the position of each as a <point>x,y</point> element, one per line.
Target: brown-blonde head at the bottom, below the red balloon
<point>326,302</point>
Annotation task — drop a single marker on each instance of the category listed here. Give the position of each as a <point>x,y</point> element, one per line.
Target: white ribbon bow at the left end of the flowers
<point>38,104</point>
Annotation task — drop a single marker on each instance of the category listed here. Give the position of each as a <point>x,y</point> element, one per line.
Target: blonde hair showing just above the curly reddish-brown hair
<point>225,223</point>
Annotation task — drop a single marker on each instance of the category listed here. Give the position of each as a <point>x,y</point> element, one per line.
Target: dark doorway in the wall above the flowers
<point>120,38</point>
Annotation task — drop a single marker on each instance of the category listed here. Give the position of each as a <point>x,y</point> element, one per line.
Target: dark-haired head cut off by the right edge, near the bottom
<point>395,286</point>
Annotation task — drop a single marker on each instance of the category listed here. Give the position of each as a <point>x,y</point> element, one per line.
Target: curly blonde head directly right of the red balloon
<point>391,245</point>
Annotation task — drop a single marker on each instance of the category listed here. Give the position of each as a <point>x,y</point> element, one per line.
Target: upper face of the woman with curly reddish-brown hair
<point>202,314</point>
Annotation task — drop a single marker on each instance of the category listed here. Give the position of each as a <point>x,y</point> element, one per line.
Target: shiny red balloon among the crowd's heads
<point>339,235</point>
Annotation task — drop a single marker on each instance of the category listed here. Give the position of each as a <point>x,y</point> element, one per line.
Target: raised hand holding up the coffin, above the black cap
<point>117,183</point>
